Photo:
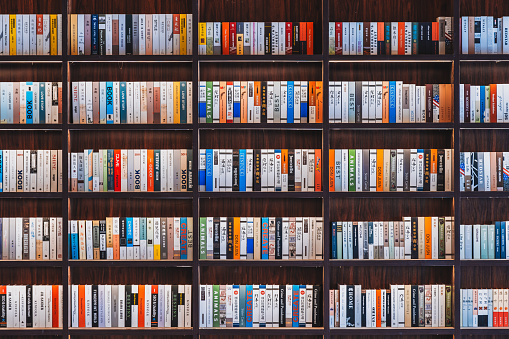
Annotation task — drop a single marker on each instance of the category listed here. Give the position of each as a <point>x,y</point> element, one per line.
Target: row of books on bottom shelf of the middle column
<point>260,306</point>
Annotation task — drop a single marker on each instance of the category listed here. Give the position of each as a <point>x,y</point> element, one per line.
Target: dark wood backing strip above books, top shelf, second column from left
<point>129,6</point>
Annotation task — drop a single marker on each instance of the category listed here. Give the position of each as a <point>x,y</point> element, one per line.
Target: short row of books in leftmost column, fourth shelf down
<point>31,238</point>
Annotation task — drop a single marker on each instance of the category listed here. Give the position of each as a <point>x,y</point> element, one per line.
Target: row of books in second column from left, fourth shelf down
<point>132,238</point>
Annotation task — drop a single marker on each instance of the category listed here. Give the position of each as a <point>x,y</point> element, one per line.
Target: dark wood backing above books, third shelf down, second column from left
<point>81,140</point>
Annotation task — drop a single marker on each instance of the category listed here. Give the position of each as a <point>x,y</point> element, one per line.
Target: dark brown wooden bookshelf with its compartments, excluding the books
<point>466,207</point>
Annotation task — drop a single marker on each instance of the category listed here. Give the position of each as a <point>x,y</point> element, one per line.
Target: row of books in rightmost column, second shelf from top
<point>484,104</point>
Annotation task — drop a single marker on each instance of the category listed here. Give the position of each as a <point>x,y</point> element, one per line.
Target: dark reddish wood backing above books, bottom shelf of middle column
<point>261,275</point>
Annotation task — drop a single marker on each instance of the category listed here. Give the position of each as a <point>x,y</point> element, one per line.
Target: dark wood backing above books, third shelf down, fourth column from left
<point>361,139</point>
